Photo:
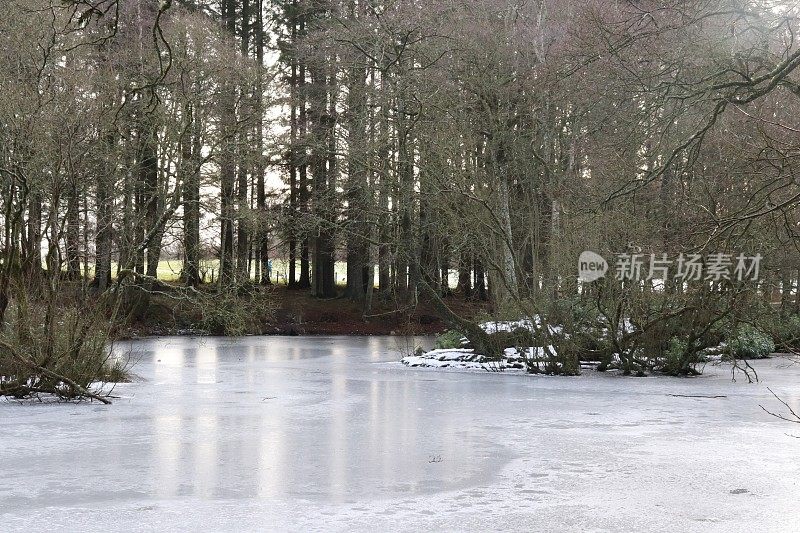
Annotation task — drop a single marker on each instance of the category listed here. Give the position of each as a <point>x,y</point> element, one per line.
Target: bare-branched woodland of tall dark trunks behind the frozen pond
<point>393,155</point>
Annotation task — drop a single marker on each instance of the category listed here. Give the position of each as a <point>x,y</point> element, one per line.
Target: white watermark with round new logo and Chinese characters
<point>686,267</point>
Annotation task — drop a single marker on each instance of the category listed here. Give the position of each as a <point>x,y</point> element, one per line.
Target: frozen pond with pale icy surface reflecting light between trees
<point>331,434</point>
